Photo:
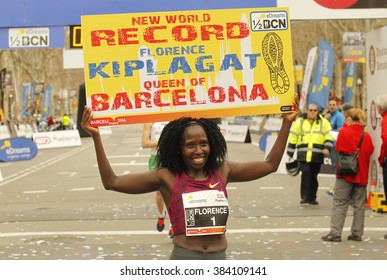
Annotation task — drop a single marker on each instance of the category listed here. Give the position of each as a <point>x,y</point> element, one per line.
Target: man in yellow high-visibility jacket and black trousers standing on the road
<point>310,136</point>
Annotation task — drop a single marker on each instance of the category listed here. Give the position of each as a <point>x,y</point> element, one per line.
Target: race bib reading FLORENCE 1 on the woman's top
<point>206,212</point>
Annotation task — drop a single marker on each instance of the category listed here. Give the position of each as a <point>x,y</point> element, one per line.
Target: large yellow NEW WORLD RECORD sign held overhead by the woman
<point>146,67</point>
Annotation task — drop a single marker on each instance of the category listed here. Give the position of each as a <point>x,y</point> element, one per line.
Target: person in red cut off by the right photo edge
<point>381,104</point>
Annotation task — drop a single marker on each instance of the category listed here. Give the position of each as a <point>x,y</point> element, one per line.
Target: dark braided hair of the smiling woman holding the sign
<point>171,140</point>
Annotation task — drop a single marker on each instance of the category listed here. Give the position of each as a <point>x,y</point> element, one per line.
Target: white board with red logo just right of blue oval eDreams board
<point>57,139</point>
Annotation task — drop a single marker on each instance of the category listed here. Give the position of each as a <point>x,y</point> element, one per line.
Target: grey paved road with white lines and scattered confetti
<point>54,207</point>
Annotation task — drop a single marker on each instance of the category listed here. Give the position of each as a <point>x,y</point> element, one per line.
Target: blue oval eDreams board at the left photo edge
<point>15,149</point>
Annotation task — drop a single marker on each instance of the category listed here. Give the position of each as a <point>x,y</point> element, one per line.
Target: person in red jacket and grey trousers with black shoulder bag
<point>351,188</point>
